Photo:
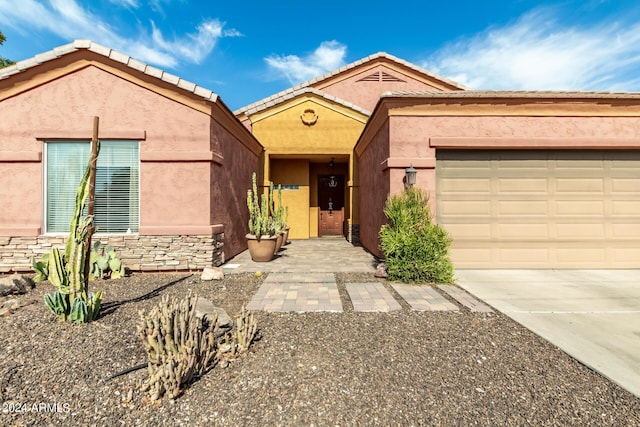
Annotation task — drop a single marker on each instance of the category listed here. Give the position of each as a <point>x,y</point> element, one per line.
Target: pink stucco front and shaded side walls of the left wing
<point>194,171</point>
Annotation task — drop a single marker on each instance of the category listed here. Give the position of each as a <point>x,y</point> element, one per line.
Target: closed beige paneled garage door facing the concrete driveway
<point>540,208</point>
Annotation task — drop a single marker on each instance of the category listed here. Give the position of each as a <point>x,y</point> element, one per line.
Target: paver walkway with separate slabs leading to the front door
<point>301,279</point>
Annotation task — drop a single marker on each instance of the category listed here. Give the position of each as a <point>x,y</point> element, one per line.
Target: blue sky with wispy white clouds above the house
<point>248,50</point>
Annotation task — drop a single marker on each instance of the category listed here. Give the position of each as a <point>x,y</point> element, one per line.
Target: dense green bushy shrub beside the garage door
<point>415,248</point>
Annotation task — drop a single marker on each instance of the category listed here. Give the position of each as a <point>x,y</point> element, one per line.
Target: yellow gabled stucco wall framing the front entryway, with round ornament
<point>298,134</point>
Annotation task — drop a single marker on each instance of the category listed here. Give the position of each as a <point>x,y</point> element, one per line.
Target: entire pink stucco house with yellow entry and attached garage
<point>519,179</point>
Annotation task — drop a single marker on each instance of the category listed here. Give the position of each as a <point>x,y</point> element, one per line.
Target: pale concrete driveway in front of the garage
<point>593,315</point>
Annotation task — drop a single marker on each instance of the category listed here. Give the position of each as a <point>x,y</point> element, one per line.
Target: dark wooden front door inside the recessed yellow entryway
<point>331,203</point>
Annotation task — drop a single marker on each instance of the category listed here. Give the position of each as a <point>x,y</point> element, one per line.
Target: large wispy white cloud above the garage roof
<point>538,53</point>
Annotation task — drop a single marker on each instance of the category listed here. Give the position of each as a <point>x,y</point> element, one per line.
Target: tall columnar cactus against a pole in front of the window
<point>71,300</point>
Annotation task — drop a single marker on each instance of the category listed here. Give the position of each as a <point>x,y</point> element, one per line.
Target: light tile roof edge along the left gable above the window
<point>113,55</point>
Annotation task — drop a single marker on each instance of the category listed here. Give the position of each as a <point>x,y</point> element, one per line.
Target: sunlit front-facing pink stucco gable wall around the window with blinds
<point>65,107</point>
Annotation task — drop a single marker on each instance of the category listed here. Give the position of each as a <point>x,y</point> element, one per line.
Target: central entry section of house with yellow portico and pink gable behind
<point>309,133</point>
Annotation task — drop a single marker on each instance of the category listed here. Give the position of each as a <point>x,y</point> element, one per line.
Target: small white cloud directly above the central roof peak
<point>327,57</point>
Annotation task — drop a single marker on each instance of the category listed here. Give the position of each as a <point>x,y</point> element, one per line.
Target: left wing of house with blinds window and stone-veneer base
<point>173,168</point>
